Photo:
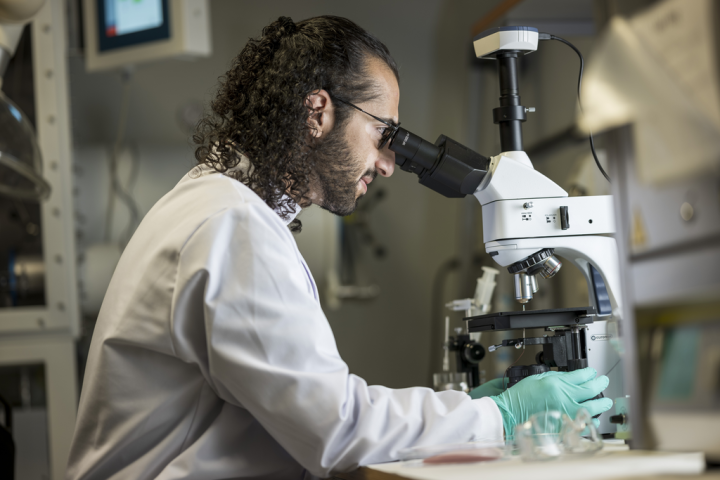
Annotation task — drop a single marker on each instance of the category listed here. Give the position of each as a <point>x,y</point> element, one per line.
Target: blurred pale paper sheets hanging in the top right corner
<point>659,71</point>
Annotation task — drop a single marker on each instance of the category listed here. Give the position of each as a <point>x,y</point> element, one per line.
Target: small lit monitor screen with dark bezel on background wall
<point>124,23</point>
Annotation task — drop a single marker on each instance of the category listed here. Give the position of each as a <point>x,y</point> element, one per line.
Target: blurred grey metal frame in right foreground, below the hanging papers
<point>682,271</point>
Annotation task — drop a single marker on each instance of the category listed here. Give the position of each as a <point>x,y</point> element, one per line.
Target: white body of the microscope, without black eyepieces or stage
<point>522,215</point>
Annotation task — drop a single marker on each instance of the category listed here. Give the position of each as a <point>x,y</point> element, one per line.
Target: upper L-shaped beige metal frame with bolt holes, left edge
<point>61,311</point>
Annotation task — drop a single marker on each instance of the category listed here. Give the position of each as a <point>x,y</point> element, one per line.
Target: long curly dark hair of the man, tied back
<point>260,109</point>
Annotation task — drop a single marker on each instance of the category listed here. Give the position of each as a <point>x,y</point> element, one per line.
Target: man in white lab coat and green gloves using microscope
<point>211,358</point>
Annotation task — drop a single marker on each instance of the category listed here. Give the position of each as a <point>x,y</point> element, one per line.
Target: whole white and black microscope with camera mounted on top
<point>529,224</point>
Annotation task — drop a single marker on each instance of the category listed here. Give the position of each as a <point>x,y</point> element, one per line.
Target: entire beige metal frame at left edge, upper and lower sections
<point>46,334</point>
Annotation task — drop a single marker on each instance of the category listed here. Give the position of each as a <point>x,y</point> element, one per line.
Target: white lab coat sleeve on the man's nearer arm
<point>268,348</point>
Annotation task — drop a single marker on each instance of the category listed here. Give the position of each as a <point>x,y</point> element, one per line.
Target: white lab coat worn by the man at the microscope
<point>212,359</point>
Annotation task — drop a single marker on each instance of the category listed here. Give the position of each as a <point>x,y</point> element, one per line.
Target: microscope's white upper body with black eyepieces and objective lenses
<point>524,212</point>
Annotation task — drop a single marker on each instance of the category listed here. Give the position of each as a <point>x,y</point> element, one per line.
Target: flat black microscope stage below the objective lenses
<point>556,317</point>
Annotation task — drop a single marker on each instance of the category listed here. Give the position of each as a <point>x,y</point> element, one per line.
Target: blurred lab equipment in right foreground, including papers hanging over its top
<point>652,90</point>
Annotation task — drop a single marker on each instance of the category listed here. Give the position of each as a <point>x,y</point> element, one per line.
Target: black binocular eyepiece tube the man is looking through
<point>447,167</point>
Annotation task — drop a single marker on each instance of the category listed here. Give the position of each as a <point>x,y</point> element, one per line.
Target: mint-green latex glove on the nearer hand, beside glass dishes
<point>562,391</point>
